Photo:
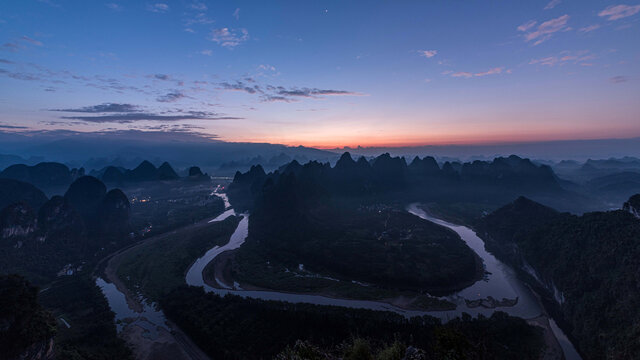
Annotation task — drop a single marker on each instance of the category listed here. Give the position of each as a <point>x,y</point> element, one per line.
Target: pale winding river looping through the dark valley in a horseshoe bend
<point>500,282</point>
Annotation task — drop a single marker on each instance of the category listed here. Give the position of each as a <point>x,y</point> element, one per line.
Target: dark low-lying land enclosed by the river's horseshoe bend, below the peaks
<point>374,244</point>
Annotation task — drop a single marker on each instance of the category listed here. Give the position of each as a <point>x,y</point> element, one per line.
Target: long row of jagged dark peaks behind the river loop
<point>492,183</point>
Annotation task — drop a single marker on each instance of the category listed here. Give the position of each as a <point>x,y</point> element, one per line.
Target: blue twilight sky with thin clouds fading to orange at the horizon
<point>324,73</point>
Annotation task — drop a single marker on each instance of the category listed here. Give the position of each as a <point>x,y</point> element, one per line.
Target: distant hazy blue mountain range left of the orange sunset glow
<point>126,148</point>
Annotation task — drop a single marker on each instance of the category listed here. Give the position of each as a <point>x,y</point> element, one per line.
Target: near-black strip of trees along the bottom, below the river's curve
<point>232,327</point>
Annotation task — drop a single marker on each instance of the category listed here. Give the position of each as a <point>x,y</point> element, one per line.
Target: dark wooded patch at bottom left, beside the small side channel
<point>92,332</point>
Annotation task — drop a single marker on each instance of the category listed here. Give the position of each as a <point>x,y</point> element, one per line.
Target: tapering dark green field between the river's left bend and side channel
<point>159,265</point>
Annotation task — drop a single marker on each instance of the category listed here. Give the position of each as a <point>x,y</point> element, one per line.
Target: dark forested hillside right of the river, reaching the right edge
<point>589,266</point>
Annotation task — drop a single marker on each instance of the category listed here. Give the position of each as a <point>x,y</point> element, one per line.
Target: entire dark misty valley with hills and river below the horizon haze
<point>373,257</point>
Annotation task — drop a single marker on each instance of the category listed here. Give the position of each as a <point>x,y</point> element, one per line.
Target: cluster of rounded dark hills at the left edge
<point>40,236</point>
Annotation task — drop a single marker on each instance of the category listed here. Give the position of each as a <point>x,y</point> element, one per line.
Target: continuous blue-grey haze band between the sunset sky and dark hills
<point>127,148</point>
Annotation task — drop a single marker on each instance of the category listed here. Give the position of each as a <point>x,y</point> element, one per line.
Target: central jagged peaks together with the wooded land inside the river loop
<point>348,221</point>
